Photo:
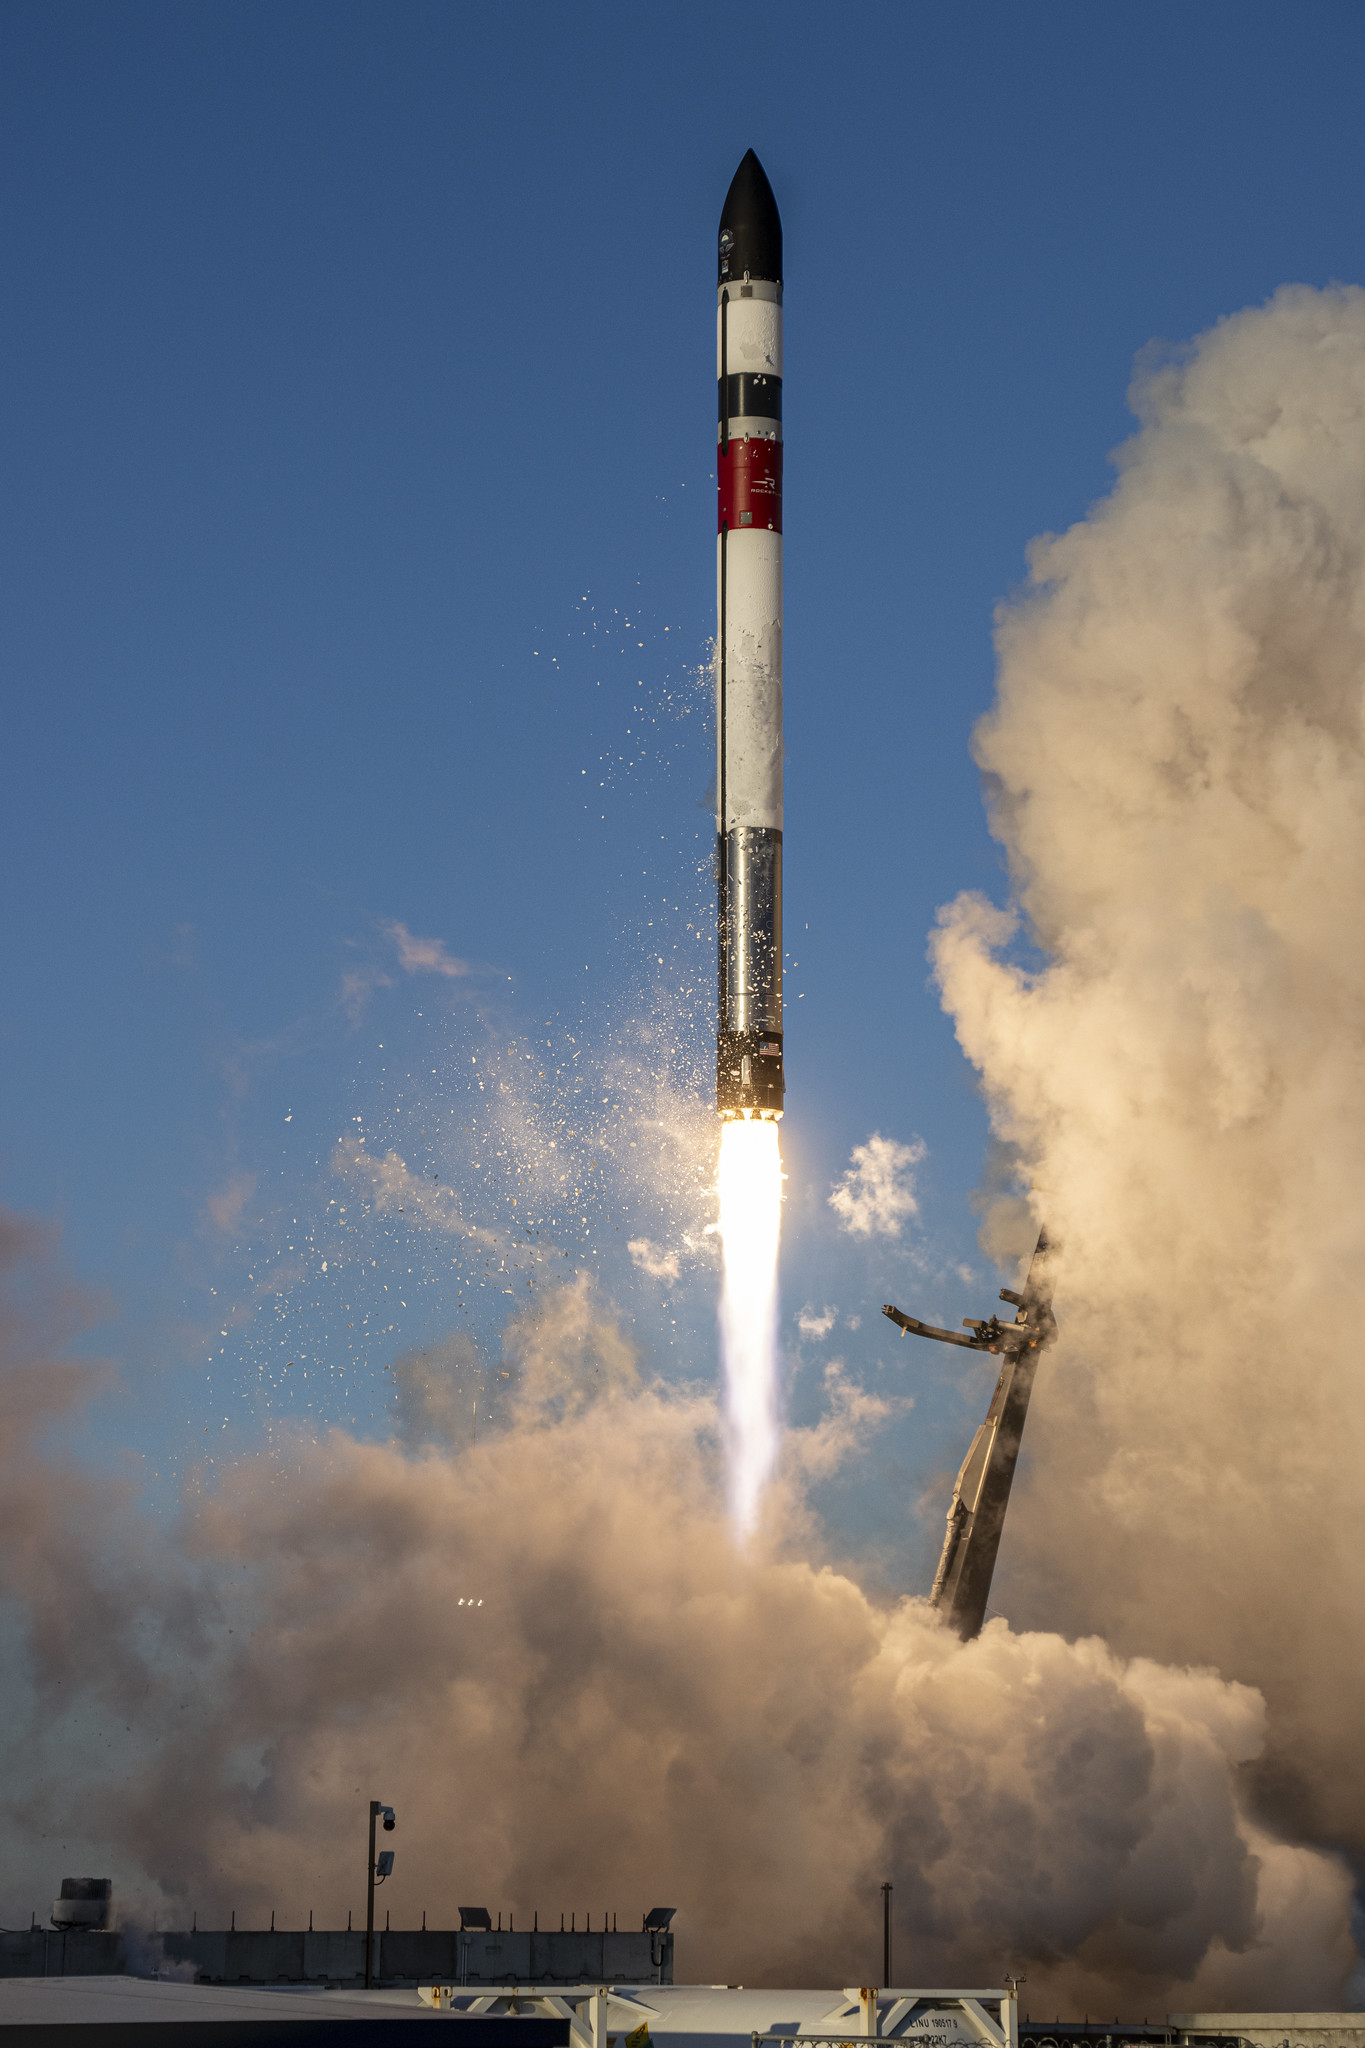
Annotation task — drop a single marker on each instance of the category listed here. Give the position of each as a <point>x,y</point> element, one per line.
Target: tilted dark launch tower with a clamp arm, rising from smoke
<point>981,1492</point>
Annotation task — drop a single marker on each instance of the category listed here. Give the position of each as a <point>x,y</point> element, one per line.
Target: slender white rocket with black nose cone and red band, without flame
<point>750,648</point>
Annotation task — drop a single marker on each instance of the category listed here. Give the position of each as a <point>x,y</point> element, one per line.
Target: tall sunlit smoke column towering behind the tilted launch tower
<point>1178,771</point>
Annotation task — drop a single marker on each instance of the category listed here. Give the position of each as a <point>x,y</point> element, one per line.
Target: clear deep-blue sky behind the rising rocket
<point>359,548</point>
